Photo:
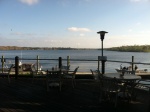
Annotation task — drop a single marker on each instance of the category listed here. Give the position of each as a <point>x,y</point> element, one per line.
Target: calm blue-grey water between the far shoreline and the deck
<point>79,54</point>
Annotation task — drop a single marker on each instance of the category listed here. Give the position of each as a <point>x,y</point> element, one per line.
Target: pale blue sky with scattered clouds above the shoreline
<point>74,23</point>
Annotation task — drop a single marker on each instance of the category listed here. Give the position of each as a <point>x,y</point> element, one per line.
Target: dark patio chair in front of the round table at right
<point>109,90</point>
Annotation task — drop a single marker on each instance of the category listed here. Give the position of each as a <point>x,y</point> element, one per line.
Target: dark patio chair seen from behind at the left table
<point>54,79</point>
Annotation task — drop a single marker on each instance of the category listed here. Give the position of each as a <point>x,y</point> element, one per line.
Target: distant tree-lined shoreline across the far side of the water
<point>135,48</point>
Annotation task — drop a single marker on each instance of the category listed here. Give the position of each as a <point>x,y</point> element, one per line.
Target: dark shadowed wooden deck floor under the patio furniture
<point>23,95</point>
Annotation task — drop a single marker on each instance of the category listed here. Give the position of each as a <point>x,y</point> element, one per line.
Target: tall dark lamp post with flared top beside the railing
<point>103,59</point>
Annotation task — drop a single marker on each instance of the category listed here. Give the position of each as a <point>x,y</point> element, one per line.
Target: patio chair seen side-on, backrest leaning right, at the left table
<point>71,75</point>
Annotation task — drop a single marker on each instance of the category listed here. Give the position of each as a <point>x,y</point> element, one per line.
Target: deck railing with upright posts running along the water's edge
<point>84,64</point>
